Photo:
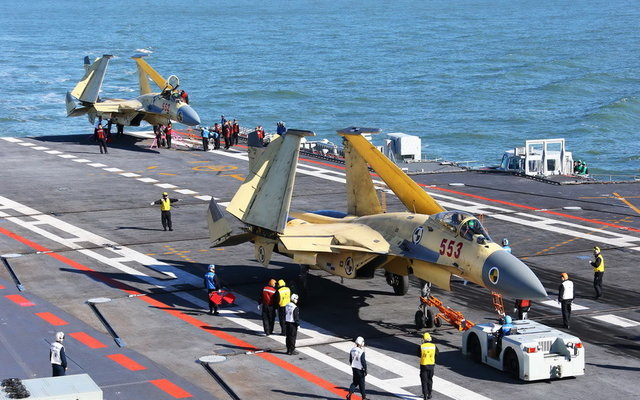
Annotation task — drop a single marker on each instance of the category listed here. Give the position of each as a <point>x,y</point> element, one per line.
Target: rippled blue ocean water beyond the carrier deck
<point>472,78</point>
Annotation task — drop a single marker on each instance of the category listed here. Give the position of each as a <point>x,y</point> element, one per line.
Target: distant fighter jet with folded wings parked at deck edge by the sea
<point>155,108</point>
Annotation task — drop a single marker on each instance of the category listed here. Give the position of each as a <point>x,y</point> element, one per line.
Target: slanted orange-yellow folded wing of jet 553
<point>410,194</point>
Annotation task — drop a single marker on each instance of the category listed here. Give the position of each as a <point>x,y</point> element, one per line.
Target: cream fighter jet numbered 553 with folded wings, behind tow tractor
<point>426,241</point>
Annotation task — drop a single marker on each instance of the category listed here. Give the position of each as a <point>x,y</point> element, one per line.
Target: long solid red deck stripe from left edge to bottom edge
<point>187,318</point>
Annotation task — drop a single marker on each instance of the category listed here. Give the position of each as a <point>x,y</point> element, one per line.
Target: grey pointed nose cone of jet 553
<point>504,273</point>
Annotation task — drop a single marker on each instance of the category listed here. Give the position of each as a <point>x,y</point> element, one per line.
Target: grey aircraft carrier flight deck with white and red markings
<point>76,225</point>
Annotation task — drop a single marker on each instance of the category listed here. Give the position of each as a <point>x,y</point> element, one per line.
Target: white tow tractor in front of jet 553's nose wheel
<point>531,352</point>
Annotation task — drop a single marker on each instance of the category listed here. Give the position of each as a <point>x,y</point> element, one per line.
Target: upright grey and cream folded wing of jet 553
<point>264,197</point>
